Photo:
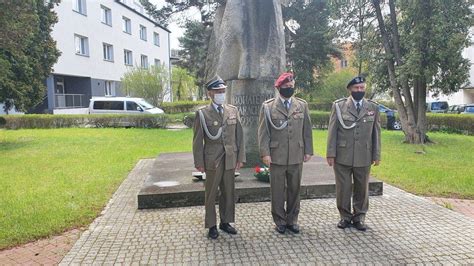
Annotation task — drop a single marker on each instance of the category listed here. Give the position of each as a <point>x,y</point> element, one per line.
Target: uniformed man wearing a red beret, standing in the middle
<point>285,141</point>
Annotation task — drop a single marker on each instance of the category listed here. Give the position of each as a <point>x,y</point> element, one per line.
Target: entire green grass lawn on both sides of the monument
<point>56,179</point>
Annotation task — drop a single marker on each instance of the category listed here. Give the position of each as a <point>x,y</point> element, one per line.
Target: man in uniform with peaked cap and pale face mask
<point>218,150</point>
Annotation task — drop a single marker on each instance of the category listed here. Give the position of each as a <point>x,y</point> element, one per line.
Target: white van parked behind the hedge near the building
<point>121,105</point>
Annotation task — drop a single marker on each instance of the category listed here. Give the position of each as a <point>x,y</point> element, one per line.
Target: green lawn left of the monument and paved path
<point>54,180</point>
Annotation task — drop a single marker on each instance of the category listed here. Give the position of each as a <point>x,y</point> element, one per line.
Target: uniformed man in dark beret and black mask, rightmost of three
<point>353,146</point>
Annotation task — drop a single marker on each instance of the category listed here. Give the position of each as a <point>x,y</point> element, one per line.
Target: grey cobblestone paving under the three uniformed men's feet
<point>403,228</point>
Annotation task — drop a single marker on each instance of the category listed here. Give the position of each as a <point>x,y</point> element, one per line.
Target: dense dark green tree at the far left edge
<point>27,51</point>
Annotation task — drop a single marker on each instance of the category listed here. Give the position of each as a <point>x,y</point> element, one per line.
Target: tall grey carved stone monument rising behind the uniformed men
<point>247,49</point>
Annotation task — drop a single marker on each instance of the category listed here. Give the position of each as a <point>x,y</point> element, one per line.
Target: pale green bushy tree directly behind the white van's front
<point>150,84</point>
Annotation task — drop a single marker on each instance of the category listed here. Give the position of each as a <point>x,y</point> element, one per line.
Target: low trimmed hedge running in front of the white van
<point>61,121</point>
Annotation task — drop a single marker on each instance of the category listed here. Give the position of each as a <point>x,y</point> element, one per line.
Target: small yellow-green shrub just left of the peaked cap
<point>184,87</point>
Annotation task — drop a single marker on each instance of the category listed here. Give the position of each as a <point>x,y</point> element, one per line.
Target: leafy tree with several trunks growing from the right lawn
<point>423,51</point>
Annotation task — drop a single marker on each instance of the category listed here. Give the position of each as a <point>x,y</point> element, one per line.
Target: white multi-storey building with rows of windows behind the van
<point>100,40</point>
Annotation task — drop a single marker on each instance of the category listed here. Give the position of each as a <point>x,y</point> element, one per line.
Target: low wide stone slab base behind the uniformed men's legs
<point>170,183</point>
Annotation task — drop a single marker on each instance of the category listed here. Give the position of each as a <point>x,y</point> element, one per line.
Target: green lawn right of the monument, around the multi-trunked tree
<point>444,169</point>
